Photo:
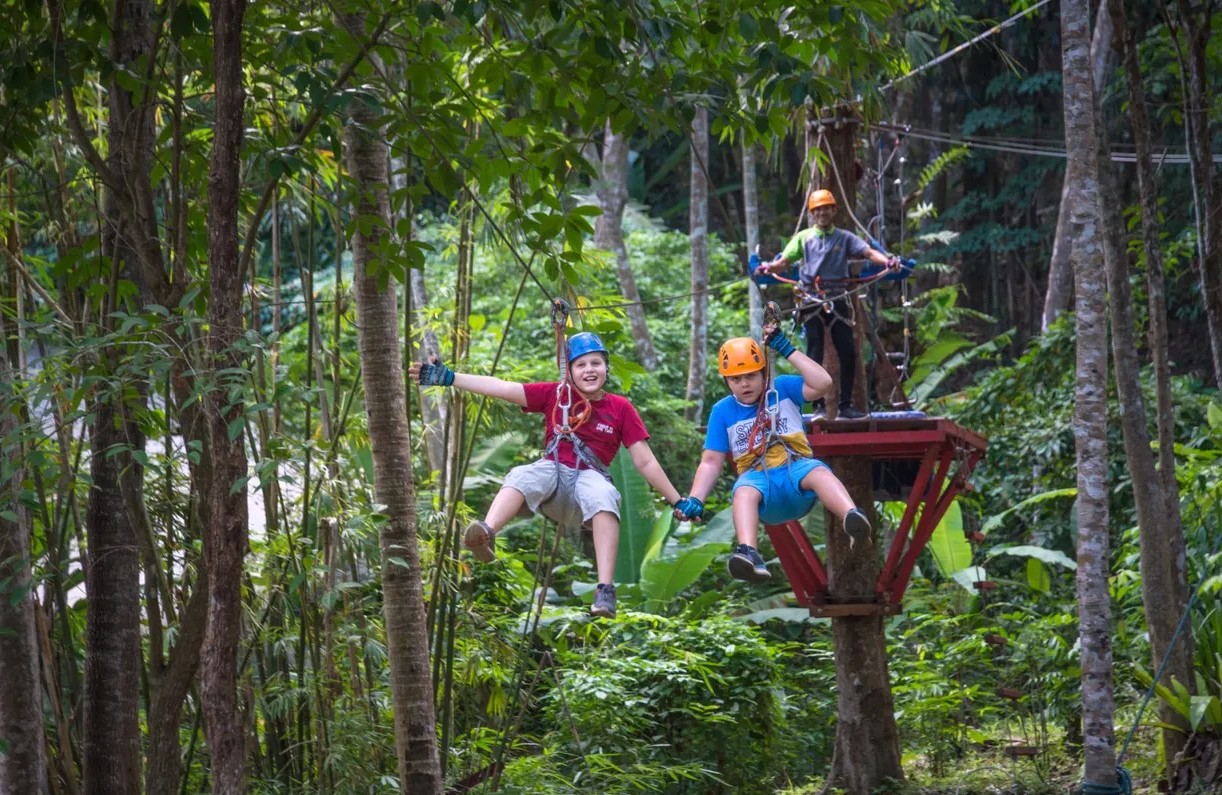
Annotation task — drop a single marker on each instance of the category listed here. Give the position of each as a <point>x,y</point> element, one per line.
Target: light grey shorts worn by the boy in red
<point>591,493</point>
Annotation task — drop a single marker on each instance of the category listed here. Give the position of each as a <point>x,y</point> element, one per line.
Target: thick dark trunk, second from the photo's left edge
<point>112,754</point>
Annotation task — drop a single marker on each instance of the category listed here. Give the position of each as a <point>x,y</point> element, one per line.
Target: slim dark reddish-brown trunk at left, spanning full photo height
<point>225,537</point>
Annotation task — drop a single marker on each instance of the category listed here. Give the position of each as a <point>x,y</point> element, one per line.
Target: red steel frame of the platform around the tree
<point>948,456</point>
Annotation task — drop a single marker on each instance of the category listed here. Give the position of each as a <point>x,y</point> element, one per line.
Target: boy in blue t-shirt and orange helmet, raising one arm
<point>779,477</point>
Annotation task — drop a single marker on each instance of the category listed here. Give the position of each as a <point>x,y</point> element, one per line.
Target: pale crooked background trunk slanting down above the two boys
<point>609,235</point>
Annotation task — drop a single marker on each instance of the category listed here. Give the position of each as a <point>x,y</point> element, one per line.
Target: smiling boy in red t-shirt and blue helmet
<point>599,423</point>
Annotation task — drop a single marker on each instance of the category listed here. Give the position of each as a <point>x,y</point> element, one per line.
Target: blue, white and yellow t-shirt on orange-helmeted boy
<point>730,427</point>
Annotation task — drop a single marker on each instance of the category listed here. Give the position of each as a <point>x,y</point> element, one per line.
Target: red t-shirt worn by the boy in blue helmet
<point>614,421</point>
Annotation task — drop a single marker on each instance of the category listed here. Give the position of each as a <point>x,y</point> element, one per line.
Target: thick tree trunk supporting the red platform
<point>867,736</point>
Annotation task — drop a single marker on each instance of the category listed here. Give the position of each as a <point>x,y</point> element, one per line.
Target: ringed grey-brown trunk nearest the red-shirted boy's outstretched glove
<point>394,485</point>
